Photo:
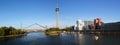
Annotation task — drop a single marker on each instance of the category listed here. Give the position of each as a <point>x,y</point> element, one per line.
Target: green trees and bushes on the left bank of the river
<point>4,31</point>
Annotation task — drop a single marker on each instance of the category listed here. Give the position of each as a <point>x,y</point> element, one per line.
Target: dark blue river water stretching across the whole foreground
<point>39,38</point>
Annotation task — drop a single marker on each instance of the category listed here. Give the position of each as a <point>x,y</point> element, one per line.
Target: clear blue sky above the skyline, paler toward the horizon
<point>26,12</point>
